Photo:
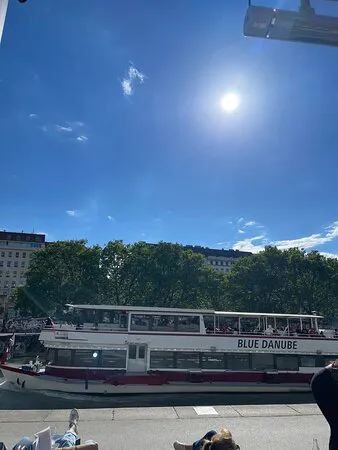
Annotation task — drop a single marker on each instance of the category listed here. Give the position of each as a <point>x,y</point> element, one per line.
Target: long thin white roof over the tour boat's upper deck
<point>145,309</point>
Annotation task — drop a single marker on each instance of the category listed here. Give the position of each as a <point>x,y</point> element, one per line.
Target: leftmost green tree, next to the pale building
<point>64,272</point>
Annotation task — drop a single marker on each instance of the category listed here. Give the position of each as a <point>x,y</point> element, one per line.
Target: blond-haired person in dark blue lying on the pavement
<point>211,441</point>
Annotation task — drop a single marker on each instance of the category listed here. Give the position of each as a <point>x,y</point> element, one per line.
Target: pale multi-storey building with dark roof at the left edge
<point>16,250</point>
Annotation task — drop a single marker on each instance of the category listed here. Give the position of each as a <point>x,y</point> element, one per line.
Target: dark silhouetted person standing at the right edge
<point>324,385</point>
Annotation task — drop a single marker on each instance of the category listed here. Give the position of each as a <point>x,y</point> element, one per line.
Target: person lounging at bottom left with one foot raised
<point>44,441</point>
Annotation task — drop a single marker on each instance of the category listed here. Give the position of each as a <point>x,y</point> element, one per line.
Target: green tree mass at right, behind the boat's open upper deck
<point>288,281</point>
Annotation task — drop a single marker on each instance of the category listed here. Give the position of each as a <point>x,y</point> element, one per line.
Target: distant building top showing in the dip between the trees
<point>219,259</point>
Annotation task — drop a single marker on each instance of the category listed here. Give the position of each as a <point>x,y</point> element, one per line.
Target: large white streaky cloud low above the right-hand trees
<point>257,243</point>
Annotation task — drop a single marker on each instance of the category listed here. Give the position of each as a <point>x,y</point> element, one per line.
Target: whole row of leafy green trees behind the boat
<point>169,275</point>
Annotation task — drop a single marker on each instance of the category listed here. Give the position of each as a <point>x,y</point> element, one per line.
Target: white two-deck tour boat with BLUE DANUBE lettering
<point>126,349</point>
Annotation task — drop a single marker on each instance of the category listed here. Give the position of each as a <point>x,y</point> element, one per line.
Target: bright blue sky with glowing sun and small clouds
<point>112,126</point>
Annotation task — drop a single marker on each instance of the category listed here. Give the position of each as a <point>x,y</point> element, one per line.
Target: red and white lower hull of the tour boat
<point>19,380</point>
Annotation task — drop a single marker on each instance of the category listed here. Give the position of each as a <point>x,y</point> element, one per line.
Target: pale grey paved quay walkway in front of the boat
<point>267,427</point>
